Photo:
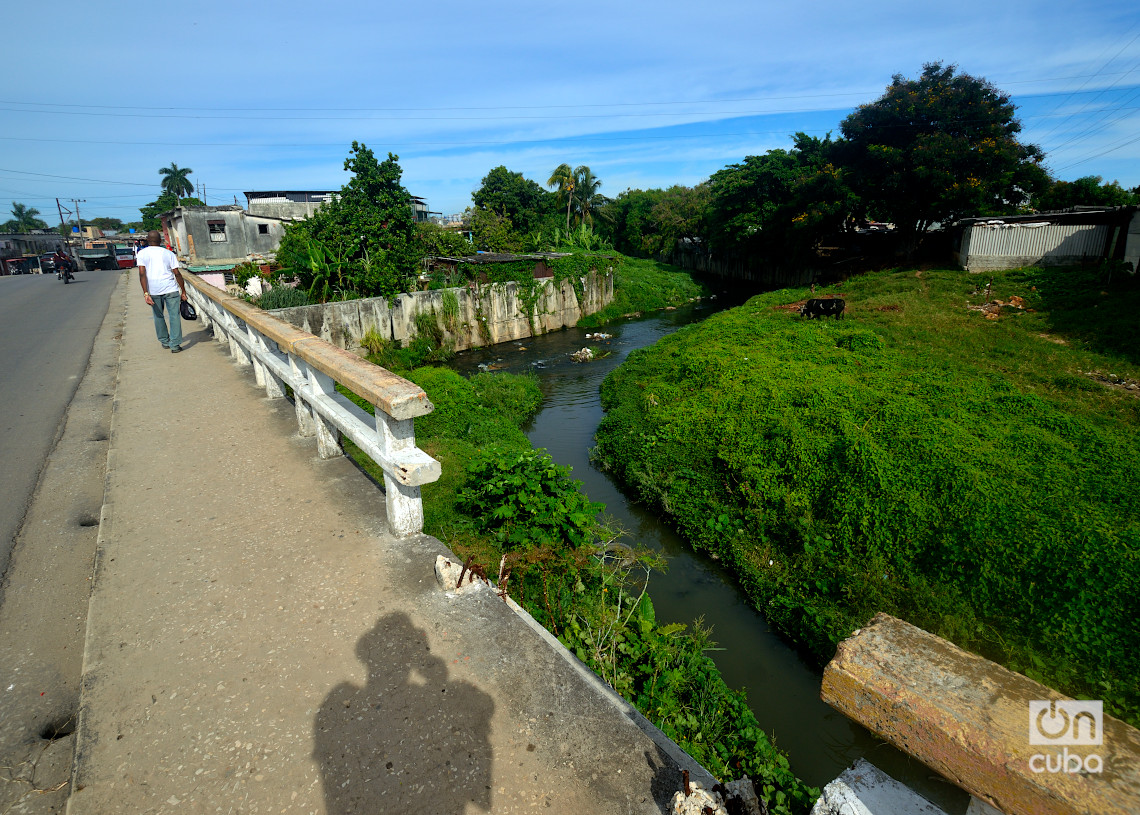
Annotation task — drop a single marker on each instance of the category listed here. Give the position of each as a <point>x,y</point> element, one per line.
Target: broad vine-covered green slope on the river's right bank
<point>966,475</point>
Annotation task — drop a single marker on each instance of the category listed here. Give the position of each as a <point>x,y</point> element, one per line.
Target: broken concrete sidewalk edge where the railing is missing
<point>447,566</point>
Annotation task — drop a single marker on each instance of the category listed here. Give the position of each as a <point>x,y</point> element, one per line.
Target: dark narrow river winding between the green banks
<point>784,690</point>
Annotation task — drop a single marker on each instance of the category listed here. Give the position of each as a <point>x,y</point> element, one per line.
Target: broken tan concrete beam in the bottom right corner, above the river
<point>970,720</point>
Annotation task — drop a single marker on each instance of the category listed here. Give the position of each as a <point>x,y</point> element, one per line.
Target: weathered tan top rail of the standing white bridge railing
<point>394,395</point>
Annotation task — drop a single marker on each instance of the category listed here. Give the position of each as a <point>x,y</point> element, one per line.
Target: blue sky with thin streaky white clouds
<point>270,96</point>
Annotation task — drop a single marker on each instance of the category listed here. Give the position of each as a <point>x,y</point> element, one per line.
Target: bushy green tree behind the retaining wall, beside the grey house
<point>367,234</point>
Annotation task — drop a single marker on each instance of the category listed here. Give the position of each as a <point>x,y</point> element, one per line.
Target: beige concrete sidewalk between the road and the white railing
<point>258,642</point>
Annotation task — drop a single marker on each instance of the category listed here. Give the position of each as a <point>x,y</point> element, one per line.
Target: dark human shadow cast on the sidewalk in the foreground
<point>411,739</point>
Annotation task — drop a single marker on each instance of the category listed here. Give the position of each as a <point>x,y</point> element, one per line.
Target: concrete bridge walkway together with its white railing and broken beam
<point>266,631</point>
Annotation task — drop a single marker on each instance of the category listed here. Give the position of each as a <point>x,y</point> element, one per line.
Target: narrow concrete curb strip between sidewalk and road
<point>110,332</point>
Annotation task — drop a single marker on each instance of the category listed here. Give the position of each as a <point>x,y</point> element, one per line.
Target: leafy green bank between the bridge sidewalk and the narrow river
<point>500,498</point>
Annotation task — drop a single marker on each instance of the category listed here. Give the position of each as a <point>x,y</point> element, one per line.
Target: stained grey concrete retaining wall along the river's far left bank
<point>487,314</point>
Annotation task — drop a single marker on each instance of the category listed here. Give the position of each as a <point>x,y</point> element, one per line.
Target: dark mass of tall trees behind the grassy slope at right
<point>938,148</point>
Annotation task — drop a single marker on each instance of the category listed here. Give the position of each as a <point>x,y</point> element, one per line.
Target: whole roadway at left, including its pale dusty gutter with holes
<point>60,347</point>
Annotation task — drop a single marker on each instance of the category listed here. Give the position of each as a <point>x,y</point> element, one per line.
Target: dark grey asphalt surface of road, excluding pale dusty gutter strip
<point>47,330</point>
